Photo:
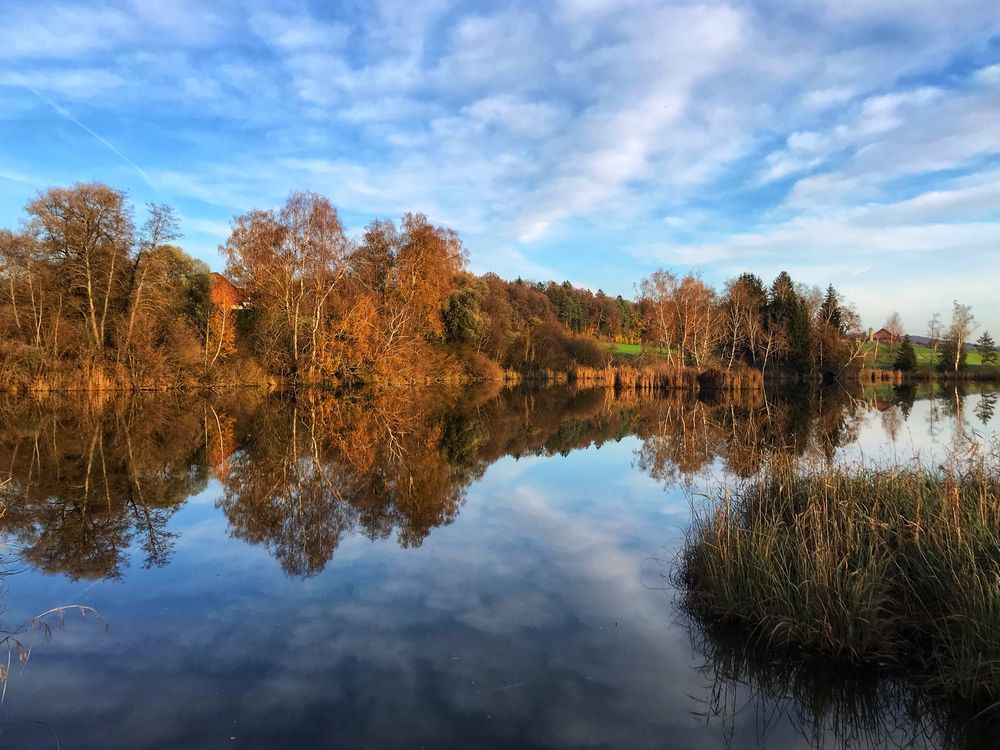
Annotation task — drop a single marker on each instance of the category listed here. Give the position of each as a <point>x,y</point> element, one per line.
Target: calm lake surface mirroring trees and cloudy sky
<point>426,569</point>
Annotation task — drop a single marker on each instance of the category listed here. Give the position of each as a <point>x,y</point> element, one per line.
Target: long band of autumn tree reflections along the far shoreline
<point>88,479</point>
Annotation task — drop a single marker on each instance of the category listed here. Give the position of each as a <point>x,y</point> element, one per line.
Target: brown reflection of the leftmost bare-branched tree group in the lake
<point>85,482</point>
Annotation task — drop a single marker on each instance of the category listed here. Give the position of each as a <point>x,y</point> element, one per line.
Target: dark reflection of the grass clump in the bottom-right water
<point>830,703</point>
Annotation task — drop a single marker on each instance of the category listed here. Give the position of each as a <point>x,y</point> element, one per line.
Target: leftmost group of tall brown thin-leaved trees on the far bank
<point>87,295</point>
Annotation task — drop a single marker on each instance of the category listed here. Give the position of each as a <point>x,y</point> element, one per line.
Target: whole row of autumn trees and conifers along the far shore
<point>92,299</point>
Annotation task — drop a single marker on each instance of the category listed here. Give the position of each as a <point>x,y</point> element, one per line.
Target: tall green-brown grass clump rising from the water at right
<point>888,565</point>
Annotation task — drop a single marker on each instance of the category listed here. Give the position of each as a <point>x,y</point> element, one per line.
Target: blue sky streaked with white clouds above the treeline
<point>852,142</point>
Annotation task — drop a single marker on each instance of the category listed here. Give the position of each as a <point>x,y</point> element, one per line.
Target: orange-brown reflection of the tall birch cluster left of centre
<point>301,475</point>
